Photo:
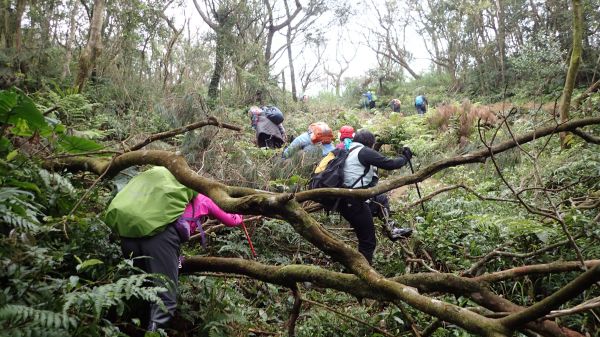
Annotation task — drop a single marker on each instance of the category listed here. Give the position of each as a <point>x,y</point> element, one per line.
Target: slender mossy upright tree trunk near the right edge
<point>565,103</point>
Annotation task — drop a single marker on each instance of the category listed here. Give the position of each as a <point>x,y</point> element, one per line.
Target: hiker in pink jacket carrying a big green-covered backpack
<point>154,226</point>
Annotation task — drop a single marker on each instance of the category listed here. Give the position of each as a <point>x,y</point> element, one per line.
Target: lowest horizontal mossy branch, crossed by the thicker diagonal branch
<point>472,288</point>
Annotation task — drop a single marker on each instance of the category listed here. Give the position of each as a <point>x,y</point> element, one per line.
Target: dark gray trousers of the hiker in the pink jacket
<point>162,251</point>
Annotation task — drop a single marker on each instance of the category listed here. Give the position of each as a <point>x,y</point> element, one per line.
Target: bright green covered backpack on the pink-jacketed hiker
<point>147,204</point>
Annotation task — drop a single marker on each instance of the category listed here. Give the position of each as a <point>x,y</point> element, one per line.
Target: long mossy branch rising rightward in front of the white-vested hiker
<point>478,156</point>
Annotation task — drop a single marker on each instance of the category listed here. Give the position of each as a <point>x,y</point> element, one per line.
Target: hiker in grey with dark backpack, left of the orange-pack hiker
<point>268,124</point>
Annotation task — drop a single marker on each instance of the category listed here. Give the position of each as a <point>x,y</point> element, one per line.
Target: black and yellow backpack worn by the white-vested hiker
<point>333,176</point>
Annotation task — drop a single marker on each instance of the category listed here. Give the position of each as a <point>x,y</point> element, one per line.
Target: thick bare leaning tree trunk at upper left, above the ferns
<point>93,48</point>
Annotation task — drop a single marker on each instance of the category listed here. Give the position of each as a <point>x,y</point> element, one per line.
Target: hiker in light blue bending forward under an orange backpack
<point>318,135</point>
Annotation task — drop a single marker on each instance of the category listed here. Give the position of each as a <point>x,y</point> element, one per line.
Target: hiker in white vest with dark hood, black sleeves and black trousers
<point>359,172</point>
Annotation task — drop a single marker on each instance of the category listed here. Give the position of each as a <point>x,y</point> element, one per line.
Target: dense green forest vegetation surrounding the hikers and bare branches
<point>62,271</point>
